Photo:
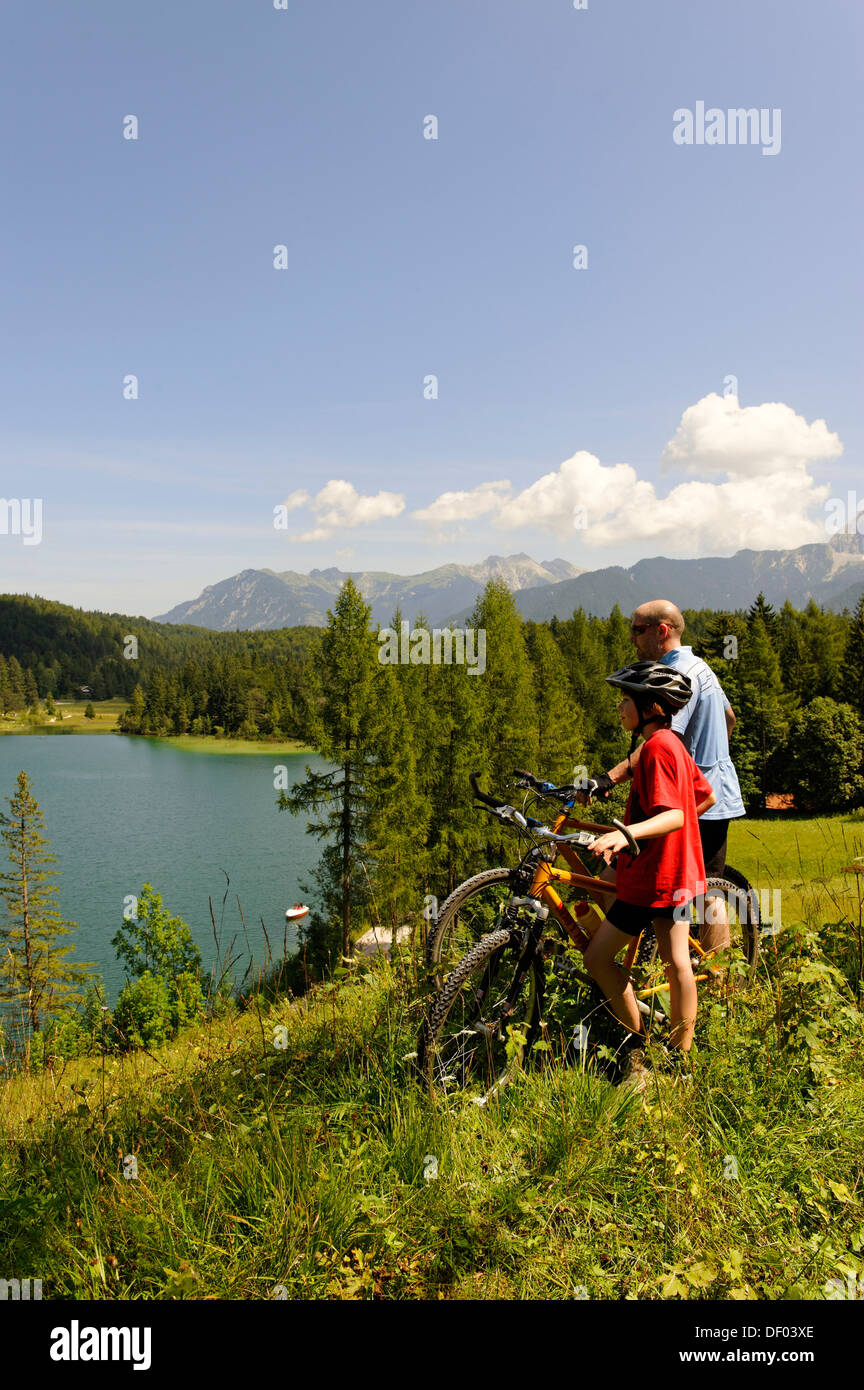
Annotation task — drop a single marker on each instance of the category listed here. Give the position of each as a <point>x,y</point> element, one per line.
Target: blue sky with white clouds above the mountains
<point>409,258</point>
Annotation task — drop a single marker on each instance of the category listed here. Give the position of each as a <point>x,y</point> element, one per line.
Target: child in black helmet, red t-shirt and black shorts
<point>667,797</point>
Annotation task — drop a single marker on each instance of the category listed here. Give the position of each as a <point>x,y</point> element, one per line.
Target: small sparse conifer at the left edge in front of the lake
<point>34,970</point>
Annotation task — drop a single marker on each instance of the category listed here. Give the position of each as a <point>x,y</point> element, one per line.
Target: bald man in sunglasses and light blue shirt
<point>705,726</point>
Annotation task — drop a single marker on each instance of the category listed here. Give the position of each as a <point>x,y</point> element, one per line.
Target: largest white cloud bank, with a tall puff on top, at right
<point>767,501</point>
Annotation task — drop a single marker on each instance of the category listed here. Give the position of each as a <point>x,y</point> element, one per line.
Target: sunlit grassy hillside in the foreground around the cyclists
<point>308,1164</point>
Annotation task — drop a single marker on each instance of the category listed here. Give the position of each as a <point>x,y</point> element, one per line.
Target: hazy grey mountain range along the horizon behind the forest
<point>831,572</point>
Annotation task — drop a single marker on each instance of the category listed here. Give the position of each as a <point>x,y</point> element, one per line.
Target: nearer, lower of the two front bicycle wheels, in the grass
<point>485,1020</point>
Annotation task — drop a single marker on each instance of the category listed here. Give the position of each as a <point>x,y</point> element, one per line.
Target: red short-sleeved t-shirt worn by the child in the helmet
<point>670,869</point>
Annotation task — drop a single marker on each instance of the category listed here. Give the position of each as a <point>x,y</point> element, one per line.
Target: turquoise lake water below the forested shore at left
<point>120,812</point>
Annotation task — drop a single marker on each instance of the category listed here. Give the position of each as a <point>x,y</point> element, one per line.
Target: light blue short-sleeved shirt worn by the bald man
<point>704,728</point>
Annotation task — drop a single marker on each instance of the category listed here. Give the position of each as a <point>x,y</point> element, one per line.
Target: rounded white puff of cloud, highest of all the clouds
<point>719,436</point>
